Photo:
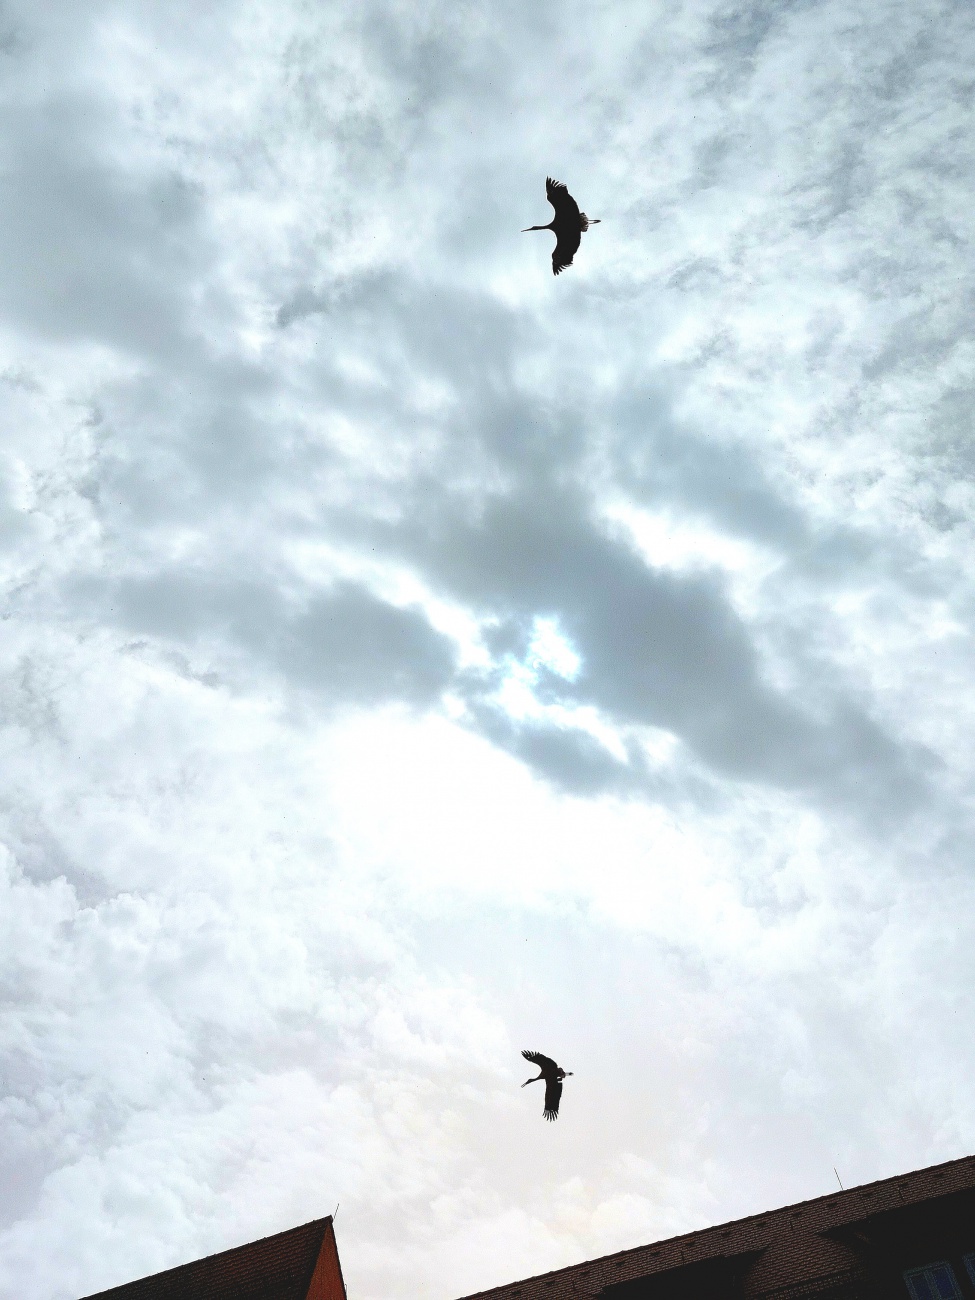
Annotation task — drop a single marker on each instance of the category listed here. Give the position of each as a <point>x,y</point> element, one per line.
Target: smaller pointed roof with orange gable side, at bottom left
<point>301,1264</point>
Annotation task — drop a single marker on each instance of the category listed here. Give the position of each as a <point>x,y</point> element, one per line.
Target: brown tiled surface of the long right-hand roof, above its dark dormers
<point>795,1242</point>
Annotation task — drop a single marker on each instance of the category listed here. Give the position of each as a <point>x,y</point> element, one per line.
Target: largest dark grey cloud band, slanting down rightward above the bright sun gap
<point>658,649</point>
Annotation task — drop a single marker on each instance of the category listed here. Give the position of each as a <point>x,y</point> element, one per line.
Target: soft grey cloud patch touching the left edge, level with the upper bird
<point>88,252</point>
